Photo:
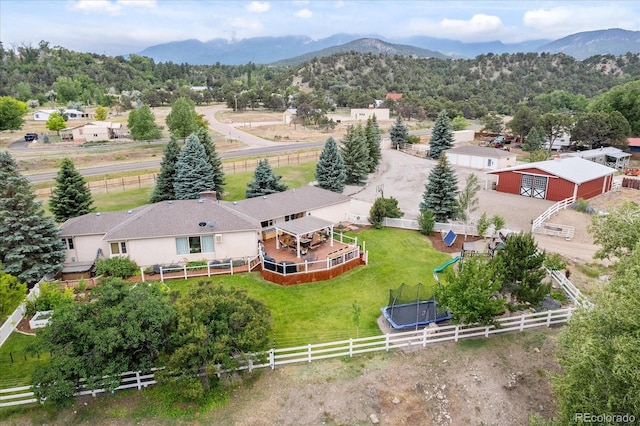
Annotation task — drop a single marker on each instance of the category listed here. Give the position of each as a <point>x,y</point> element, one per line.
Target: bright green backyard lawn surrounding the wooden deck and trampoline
<point>323,311</point>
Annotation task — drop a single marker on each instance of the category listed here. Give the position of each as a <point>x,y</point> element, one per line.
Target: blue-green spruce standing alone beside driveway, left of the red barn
<point>440,192</point>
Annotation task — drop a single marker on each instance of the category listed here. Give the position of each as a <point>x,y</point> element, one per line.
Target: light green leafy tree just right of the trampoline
<point>472,293</point>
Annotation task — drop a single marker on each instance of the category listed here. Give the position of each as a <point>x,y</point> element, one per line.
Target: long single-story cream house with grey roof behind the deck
<point>180,231</point>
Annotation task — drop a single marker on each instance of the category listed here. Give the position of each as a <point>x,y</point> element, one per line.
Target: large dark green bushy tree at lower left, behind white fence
<point>124,328</point>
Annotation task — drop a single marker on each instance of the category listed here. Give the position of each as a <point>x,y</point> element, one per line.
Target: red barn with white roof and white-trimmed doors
<point>556,179</point>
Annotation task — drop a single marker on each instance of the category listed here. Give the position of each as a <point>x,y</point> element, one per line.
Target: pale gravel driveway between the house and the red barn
<point>404,176</point>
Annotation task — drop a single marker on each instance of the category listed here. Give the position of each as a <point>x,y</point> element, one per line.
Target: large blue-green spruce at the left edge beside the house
<point>30,241</point>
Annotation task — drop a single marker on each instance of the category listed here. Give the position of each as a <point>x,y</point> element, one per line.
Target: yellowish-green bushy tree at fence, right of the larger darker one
<point>217,328</point>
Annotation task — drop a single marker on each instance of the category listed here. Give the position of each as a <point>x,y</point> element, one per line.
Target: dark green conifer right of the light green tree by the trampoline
<point>523,269</point>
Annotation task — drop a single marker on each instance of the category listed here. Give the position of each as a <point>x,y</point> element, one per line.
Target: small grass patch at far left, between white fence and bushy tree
<point>18,372</point>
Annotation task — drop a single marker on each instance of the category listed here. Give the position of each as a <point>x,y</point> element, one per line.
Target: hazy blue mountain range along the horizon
<point>292,50</point>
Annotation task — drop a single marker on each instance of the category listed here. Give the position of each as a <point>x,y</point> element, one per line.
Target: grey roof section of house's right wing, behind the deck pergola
<point>288,202</point>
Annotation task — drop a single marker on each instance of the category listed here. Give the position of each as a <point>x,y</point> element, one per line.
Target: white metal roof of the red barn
<point>574,169</point>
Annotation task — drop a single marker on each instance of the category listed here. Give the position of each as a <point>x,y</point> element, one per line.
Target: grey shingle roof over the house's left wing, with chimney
<point>164,219</point>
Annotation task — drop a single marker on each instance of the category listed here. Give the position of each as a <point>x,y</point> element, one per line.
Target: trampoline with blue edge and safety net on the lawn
<point>412,307</point>
